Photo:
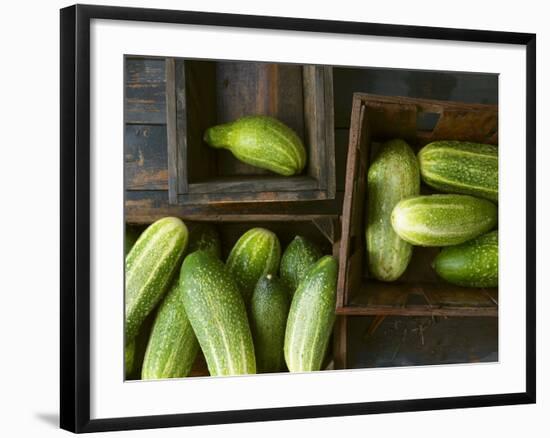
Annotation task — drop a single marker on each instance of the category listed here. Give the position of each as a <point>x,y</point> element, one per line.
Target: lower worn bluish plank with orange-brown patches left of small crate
<point>145,158</point>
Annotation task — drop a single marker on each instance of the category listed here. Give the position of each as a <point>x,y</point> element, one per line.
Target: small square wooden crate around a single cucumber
<point>200,94</point>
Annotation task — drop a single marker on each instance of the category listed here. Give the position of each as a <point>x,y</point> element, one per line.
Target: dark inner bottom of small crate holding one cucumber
<point>222,91</point>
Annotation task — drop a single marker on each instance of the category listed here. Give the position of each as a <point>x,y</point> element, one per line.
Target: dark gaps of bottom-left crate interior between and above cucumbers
<point>229,233</point>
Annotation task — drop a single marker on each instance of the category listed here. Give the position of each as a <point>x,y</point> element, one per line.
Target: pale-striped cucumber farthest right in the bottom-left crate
<point>311,317</point>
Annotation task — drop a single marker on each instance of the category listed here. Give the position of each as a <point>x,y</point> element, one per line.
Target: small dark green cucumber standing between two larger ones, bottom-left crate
<point>268,315</point>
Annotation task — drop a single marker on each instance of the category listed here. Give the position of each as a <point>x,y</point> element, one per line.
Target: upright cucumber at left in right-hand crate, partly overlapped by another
<point>392,176</point>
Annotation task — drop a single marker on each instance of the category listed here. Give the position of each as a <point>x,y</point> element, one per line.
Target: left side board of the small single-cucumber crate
<point>171,130</point>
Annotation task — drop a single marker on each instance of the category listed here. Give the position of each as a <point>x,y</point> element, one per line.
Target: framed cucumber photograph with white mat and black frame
<point>269,218</point>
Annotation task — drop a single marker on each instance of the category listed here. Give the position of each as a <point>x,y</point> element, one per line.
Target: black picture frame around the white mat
<point>75,216</point>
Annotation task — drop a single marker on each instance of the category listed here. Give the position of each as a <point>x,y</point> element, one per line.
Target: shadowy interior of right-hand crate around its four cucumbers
<point>419,290</point>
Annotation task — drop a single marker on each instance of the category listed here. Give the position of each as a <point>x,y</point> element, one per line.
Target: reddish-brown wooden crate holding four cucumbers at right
<point>419,291</point>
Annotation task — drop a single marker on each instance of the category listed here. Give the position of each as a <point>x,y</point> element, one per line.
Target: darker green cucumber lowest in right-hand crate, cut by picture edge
<point>471,264</point>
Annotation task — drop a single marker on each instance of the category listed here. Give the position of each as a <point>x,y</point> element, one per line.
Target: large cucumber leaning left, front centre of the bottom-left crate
<point>217,313</point>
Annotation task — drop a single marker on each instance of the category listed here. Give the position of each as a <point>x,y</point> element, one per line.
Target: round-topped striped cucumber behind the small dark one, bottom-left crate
<point>256,253</point>
